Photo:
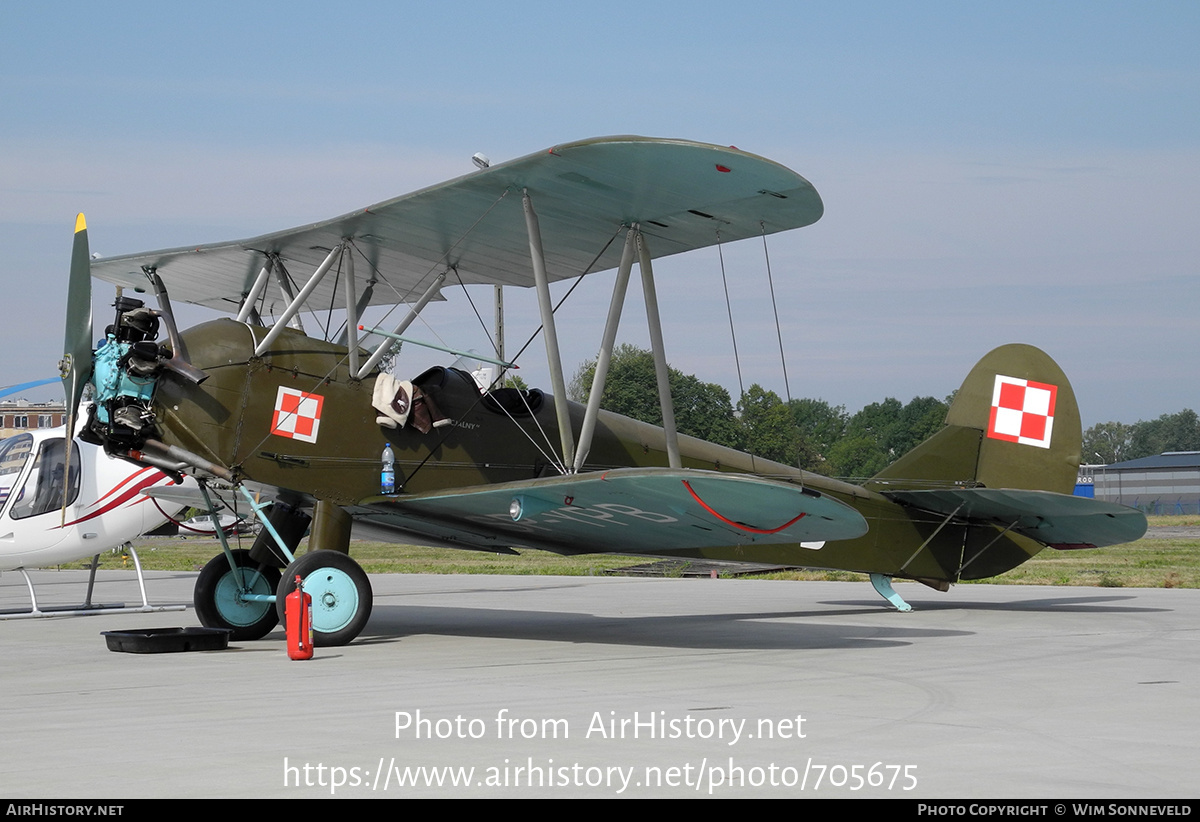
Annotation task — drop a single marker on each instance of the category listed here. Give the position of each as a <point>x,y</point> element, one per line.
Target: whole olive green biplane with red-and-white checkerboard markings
<point>271,412</point>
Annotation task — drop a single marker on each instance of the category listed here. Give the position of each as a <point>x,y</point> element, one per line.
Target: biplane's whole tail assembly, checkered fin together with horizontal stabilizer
<point>1003,470</point>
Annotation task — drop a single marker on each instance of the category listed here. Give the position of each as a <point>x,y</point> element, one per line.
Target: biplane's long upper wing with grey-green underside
<point>683,195</point>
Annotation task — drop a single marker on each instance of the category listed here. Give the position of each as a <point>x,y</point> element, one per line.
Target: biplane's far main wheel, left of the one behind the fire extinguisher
<point>219,597</point>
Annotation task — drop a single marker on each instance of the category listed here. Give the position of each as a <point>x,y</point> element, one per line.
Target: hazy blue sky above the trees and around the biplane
<point>992,172</point>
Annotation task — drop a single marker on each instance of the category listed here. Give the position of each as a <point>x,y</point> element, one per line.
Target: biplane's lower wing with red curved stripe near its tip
<point>631,511</point>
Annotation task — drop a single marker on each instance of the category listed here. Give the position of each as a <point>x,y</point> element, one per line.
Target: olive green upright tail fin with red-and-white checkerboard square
<point>1015,424</point>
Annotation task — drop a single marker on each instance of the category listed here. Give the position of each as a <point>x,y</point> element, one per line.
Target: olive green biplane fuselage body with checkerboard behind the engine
<point>295,419</point>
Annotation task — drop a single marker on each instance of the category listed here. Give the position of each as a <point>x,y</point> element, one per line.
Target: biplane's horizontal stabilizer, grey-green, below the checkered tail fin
<point>1058,520</point>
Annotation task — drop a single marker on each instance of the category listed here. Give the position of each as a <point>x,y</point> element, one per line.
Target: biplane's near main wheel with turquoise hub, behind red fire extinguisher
<point>341,596</point>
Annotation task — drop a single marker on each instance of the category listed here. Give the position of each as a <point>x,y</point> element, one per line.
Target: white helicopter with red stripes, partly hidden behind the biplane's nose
<point>57,508</point>
